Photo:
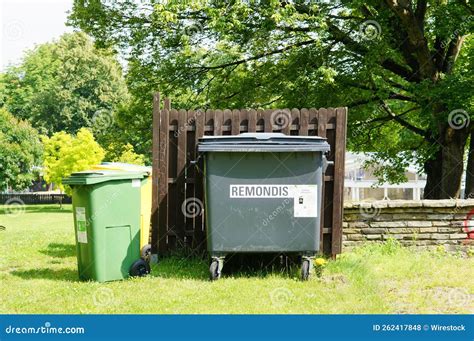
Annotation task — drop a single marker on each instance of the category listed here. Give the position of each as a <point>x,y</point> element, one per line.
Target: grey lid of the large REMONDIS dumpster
<point>258,142</point>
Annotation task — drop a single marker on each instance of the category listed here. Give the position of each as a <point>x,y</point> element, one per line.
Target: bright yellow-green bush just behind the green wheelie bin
<point>65,154</point>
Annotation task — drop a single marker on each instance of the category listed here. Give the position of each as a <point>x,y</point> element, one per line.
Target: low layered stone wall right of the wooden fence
<point>422,223</point>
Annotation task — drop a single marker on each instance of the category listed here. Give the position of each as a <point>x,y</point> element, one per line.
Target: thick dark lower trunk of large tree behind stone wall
<point>444,170</point>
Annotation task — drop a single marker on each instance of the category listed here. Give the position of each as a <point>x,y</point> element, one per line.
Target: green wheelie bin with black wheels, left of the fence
<point>107,207</point>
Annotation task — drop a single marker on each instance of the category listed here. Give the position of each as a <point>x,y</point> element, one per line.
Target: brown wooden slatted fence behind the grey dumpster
<point>177,204</point>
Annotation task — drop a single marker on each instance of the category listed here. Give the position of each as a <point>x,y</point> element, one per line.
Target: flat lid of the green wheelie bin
<point>97,176</point>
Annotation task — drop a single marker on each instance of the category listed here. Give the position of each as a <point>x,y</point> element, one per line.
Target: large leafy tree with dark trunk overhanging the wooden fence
<point>401,66</point>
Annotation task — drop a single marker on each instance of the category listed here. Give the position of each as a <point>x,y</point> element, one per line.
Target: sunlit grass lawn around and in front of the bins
<point>38,275</point>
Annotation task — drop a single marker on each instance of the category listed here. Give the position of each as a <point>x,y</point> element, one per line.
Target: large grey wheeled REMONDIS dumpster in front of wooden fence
<point>263,194</point>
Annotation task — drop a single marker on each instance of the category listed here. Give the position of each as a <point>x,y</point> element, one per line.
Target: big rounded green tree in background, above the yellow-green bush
<point>65,85</point>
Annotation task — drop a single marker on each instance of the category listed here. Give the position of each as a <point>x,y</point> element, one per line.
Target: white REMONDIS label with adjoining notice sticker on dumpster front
<point>305,196</point>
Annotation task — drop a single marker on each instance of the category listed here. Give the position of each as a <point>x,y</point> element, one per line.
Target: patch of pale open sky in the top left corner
<point>25,23</point>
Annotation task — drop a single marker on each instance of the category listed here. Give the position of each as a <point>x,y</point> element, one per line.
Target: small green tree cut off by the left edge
<point>20,151</point>
